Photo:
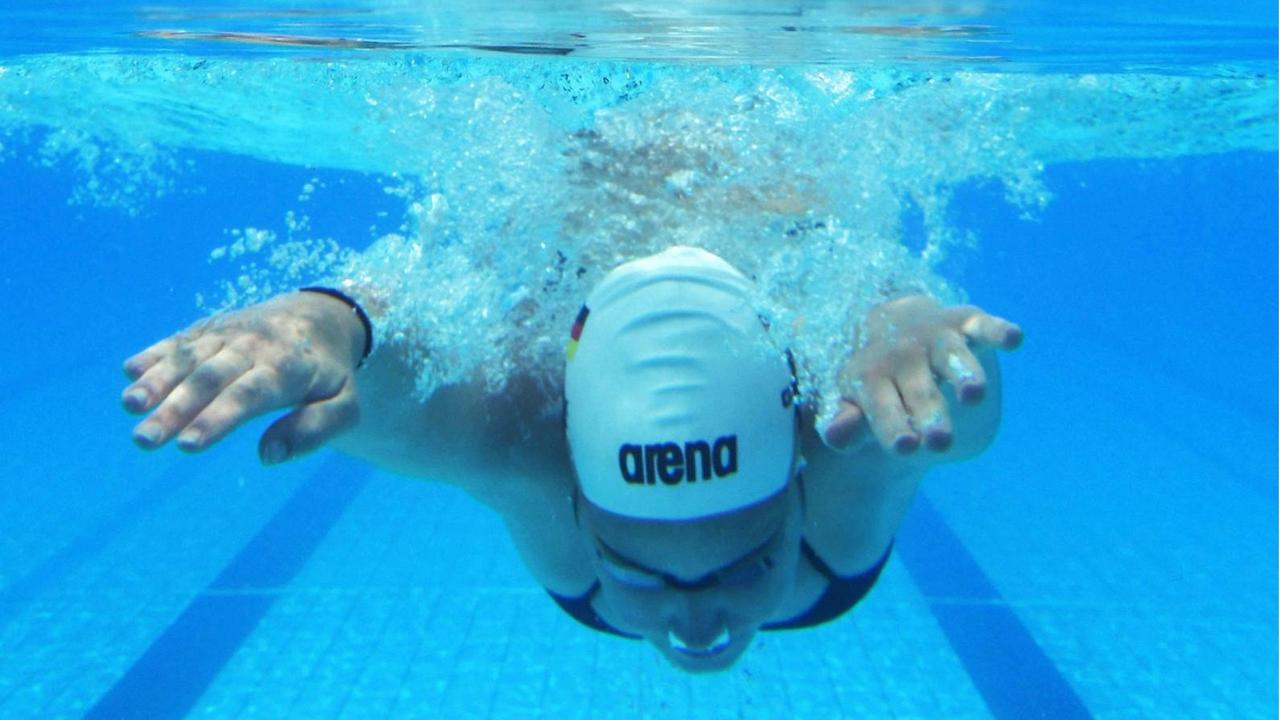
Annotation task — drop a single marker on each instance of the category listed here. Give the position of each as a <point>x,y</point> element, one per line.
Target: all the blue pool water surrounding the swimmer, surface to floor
<point>1107,179</point>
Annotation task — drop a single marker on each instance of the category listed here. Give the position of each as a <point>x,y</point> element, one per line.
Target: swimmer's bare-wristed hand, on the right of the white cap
<point>892,384</point>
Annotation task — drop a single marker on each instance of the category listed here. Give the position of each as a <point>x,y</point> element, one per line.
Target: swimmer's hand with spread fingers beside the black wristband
<point>298,350</point>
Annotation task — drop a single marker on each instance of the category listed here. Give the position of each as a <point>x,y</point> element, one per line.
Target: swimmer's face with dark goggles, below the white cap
<point>697,590</point>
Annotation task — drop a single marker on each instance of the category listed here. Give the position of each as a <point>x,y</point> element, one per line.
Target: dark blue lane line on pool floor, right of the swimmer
<point>1005,663</point>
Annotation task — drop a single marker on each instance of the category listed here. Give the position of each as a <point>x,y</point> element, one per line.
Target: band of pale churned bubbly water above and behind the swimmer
<point>523,183</point>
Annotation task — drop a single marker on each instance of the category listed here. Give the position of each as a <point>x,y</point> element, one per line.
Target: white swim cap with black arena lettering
<point>678,404</point>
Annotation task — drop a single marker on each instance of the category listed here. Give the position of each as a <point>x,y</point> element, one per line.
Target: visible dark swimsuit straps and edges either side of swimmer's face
<point>840,596</point>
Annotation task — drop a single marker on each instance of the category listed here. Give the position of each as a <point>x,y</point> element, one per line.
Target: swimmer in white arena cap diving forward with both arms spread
<point>684,496</point>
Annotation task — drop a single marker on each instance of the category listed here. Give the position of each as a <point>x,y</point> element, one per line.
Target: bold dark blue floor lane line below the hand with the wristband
<point>176,671</point>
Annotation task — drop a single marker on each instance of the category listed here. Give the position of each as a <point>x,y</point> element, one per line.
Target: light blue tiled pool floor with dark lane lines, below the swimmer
<point>1099,560</point>
